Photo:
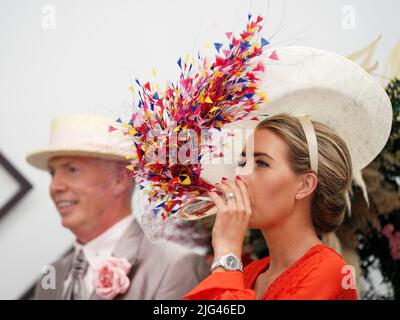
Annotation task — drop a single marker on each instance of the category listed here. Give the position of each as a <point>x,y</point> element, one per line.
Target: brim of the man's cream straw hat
<point>41,158</point>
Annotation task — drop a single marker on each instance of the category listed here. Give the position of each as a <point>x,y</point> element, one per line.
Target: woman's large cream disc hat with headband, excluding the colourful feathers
<point>314,84</point>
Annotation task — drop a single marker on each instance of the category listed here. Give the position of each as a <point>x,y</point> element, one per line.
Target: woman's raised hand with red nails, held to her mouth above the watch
<point>232,218</point>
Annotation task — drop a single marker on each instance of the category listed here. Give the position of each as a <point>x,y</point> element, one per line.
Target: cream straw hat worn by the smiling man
<point>85,135</point>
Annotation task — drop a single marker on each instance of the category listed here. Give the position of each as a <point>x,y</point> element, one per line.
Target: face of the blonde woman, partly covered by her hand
<point>272,184</point>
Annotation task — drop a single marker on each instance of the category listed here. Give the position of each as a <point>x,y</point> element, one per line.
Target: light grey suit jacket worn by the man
<point>162,270</point>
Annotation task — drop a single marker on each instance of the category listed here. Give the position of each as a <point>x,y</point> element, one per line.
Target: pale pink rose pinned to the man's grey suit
<point>111,278</point>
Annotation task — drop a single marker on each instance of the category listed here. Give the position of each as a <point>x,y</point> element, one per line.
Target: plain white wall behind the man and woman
<point>96,49</point>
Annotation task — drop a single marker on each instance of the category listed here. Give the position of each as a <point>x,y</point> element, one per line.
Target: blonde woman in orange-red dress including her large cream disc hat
<point>293,184</point>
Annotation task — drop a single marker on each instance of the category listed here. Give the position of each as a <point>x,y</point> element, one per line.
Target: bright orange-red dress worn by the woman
<point>320,274</point>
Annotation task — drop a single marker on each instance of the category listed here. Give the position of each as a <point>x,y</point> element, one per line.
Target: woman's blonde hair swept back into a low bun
<point>334,167</point>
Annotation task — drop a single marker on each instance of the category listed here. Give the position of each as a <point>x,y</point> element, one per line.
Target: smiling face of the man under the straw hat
<point>82,190</point>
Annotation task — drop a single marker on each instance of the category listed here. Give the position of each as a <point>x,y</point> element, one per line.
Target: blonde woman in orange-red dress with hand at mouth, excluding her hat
<point>293,197</point>
